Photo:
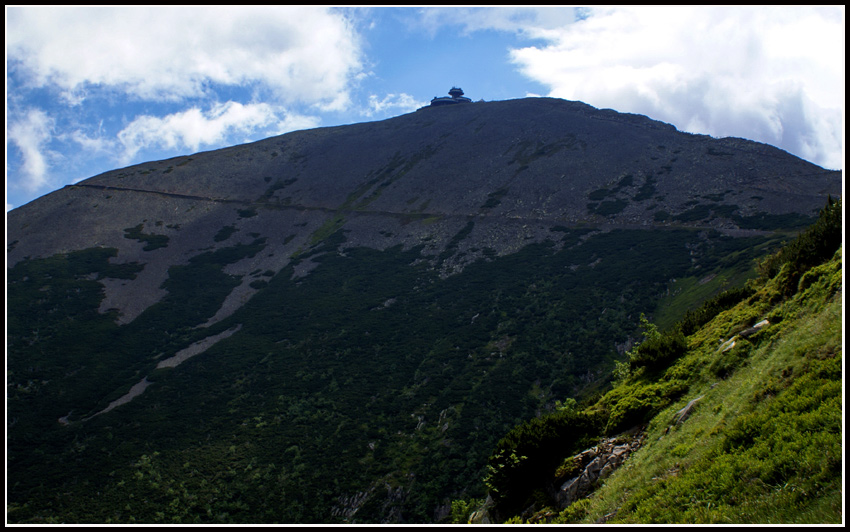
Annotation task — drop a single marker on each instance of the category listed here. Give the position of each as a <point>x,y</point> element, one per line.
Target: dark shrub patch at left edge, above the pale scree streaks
<point>78,357</point>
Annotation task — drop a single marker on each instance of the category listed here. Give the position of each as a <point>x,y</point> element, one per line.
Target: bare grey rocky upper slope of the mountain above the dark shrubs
<point>515,169</point>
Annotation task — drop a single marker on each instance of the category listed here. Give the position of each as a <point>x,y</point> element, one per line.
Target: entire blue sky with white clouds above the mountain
<point>91,89</point>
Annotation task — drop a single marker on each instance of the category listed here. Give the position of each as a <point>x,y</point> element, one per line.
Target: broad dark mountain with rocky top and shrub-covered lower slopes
<point>339,324</point>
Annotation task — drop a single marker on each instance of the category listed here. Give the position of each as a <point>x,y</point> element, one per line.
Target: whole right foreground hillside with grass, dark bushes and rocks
<point>734,415</point>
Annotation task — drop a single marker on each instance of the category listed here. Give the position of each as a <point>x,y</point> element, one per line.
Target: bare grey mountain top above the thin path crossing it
<point>255,172</point>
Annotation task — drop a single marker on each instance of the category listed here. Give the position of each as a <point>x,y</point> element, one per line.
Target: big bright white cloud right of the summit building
<point>773,74</point>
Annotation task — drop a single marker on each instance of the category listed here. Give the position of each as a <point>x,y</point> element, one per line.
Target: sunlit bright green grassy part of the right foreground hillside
<point>764,444</point>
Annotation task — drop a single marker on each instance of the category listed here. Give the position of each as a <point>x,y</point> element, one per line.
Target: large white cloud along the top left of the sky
<point>296,54</point>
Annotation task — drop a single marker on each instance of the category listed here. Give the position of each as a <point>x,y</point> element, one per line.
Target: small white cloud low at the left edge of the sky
<point>30,134</point>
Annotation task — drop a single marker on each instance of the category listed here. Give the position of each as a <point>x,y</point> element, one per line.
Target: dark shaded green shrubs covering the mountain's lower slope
<point>406,379</point>
